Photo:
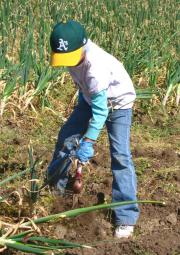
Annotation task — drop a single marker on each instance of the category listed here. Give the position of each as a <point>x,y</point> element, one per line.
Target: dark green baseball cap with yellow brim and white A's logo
<point>67,41</point>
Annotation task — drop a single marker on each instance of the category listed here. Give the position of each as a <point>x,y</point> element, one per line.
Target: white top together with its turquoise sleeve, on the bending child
<point>104,83</point>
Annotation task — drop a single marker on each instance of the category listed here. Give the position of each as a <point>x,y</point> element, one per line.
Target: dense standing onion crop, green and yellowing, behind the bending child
<point>144,36</point>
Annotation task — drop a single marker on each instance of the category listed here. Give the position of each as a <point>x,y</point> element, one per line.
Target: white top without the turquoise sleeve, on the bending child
<point>101,71</point>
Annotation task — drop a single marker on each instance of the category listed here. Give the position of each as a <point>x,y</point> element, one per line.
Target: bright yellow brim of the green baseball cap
<point>66,59</point>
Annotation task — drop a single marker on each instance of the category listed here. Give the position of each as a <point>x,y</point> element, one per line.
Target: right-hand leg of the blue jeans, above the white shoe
<point>124,186</point>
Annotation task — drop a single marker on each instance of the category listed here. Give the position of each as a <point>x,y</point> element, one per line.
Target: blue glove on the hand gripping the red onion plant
<point>85,151</point>
